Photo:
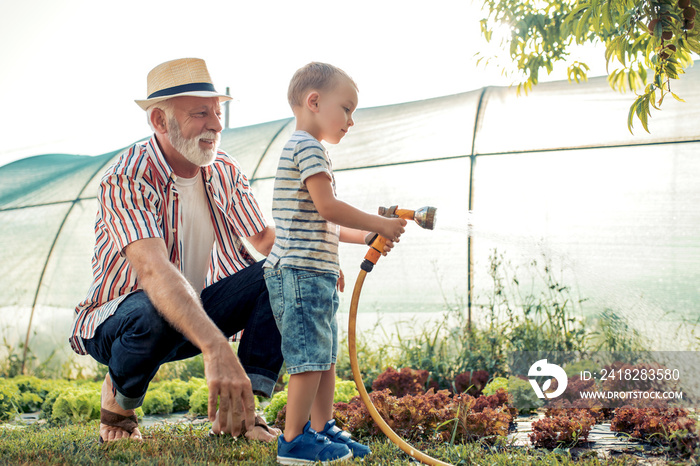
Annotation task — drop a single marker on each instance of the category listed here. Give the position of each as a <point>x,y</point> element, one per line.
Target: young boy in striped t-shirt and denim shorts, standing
<point>302,271</point>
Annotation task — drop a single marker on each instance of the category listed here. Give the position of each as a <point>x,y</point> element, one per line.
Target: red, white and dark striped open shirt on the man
<point>138,199</point>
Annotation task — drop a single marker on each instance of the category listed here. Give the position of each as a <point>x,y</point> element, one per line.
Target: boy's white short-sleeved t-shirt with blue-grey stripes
<point>304,239</point>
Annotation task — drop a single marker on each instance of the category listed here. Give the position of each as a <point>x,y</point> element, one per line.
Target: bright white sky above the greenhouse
<point>71,69</point>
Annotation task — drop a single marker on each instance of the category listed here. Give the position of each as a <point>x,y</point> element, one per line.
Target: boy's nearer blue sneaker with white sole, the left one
<point>310,447</point>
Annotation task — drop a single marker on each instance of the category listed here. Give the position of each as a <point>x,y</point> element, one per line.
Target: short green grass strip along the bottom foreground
<point>189,444</point>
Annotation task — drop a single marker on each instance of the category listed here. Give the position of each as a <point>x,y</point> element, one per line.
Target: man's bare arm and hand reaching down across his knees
<point>176,300</point>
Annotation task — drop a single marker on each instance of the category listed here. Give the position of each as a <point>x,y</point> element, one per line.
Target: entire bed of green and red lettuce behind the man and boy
<point>413,410</point>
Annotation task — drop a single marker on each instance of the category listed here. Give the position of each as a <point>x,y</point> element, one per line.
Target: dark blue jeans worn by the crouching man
<point>137,340</point>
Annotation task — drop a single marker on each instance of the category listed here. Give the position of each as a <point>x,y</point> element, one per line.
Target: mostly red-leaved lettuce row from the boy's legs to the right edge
<point>489,415</point>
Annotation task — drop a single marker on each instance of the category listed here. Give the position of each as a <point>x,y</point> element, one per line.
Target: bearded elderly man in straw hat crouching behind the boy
<point>171,276</point>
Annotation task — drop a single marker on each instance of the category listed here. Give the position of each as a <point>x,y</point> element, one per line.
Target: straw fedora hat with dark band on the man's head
<point>184,76</point>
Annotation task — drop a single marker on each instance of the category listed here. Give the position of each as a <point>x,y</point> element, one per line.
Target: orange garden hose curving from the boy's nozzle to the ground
<point>352,347</point>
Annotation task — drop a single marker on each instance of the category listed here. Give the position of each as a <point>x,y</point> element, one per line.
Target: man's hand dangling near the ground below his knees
<point>230,387</point>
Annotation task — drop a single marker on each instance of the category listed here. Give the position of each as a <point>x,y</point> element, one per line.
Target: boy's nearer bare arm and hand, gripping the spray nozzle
<point>343,214</point>
